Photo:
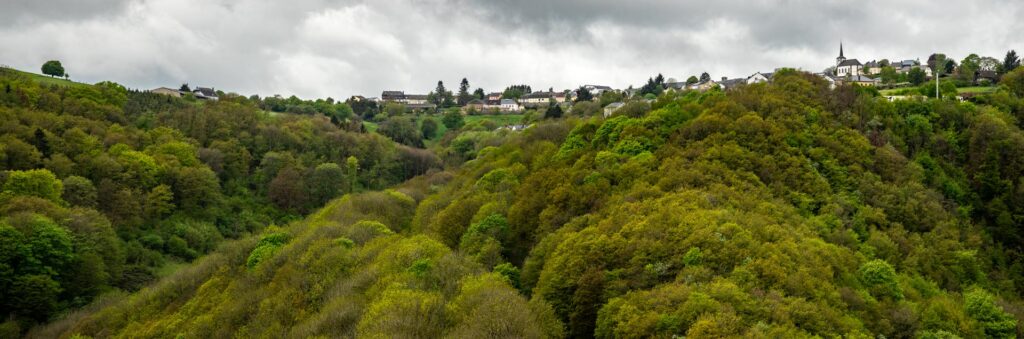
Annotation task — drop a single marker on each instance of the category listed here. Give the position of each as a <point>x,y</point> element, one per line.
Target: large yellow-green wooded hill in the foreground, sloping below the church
<point>772,210</point>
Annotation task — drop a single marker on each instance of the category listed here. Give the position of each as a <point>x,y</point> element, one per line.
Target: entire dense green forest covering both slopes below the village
<point>785,209</point>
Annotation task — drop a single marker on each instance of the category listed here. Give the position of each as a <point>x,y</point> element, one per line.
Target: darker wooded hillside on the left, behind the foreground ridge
<point>104,189</point>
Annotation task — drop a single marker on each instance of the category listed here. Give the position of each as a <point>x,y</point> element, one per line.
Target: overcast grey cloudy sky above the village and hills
<point>320,49</point>
